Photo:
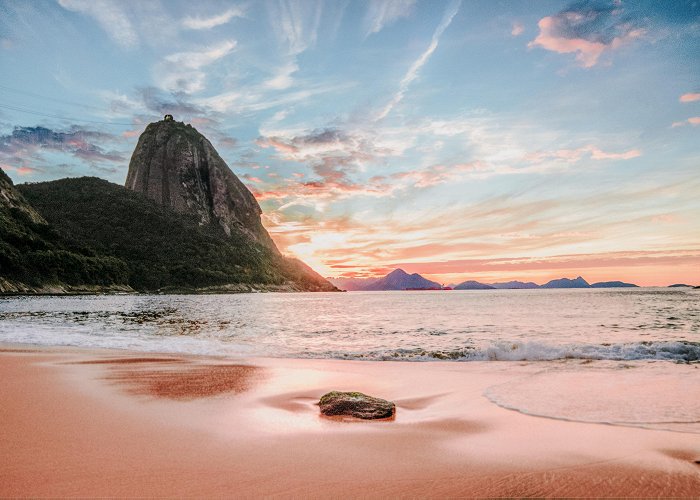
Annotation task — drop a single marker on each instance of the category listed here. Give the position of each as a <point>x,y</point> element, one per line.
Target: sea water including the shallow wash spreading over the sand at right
<point>617,356</point>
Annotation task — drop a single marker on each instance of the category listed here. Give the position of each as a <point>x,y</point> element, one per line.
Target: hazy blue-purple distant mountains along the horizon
<point>398,279</point>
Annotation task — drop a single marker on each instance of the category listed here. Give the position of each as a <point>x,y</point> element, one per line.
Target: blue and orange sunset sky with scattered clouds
<point>488,140</point>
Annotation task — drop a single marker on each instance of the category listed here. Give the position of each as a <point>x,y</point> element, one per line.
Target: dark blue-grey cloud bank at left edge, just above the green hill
<point>27,143</point>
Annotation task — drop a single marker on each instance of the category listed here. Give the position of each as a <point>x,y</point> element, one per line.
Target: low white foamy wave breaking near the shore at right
<point>679,351</point>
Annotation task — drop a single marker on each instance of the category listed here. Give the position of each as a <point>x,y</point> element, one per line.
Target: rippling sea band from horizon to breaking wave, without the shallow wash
<point>498,325</point>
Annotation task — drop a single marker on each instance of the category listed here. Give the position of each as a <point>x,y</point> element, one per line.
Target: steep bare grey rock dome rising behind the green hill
<point>174,165</point>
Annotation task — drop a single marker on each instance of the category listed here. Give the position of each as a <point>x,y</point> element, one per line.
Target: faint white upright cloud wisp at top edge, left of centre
<point>295,23</point>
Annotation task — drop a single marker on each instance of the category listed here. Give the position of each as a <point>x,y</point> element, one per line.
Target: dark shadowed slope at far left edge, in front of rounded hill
<point>35,258</point>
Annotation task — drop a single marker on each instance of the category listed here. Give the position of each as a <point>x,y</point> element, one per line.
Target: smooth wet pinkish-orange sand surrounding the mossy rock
<point>112,423</point>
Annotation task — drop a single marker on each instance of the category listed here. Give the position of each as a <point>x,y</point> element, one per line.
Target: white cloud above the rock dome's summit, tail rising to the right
<point>182,71</point>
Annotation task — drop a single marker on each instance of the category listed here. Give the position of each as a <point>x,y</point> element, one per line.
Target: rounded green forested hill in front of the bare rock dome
<point>163,249</point>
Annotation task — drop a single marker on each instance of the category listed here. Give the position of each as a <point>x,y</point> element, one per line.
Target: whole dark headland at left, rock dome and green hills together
<point>183,223</point>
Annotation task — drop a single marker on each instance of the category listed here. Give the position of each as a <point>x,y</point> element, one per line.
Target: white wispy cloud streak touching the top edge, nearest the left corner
<point>110,16</point>
